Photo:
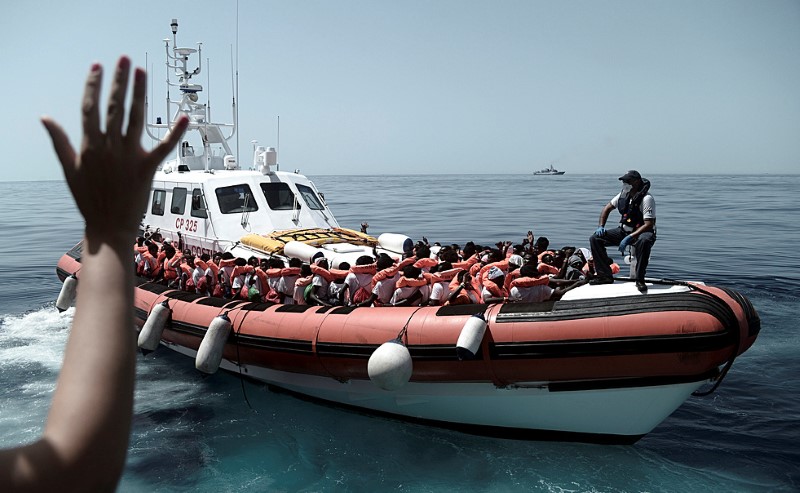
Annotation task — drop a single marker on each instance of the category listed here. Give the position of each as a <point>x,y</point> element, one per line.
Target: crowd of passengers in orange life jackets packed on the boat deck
<point>426,275</point>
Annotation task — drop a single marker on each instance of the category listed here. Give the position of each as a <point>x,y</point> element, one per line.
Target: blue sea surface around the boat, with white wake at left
<point>218,434</point>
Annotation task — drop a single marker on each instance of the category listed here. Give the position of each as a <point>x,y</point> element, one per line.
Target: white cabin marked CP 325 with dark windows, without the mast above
<point>212,208</point>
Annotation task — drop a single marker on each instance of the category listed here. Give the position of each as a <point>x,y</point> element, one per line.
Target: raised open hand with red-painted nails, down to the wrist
<point>110,177</point>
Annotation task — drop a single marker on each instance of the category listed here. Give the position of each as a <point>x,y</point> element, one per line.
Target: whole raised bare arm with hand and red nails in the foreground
<point>85,439</point>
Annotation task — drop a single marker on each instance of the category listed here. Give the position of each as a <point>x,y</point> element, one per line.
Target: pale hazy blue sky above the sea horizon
<point>390,87</point>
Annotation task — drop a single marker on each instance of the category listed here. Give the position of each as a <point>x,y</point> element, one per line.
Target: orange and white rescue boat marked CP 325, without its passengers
<point>603,364</point>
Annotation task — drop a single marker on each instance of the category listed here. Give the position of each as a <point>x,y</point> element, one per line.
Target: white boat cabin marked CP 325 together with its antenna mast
<point>203,194</point>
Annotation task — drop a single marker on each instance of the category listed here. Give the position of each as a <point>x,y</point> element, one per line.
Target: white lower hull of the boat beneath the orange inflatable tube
<point>617,412</point>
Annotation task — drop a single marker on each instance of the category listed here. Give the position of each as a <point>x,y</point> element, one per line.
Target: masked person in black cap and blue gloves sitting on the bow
<point>637,229</point>
